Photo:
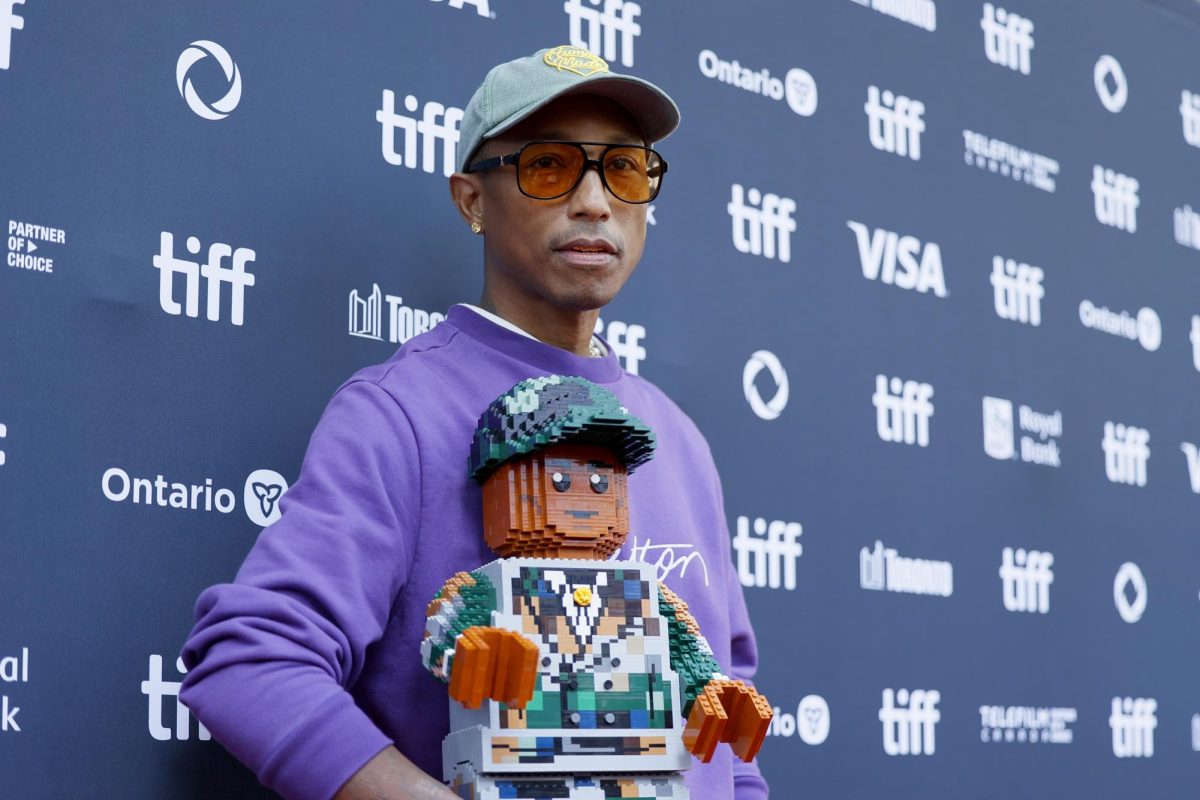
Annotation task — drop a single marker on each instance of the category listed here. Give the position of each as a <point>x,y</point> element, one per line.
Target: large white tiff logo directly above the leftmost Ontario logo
<point>212,272</point>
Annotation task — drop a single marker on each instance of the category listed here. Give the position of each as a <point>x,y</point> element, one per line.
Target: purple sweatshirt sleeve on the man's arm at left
<point>273,654</point>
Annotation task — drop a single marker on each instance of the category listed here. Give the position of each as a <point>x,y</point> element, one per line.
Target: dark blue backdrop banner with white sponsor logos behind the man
<point>925,273</point>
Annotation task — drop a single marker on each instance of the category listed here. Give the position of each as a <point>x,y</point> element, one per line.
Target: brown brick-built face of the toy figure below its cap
<point>565,502</point>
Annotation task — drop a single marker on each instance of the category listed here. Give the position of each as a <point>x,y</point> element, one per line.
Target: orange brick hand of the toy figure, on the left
<point>494,663</point>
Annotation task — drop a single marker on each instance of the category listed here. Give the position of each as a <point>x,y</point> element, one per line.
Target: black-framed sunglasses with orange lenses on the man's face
<point>551,170</point>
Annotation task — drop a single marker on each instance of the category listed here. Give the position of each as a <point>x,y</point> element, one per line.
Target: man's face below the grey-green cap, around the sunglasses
<point>572,254</point>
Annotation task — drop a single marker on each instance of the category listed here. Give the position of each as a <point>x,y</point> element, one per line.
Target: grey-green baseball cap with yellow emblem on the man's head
<point>514,91</point>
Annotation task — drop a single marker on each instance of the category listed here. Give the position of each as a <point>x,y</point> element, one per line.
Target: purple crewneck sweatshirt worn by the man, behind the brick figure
<point>309,664</point>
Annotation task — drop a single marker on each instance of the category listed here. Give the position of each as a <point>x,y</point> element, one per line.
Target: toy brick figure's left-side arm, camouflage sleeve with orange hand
<point>478,661</point>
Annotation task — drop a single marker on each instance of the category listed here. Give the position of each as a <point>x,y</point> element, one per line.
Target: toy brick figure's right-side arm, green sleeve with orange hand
<point>717,708</point>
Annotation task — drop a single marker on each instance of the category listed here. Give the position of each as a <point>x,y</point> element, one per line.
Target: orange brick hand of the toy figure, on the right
<point>728,711</point>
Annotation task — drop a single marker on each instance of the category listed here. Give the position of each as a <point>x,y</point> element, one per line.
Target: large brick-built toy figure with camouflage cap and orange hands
<point>572,676</point>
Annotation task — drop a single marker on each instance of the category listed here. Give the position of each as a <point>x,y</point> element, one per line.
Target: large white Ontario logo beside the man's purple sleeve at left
<point>261,494</point>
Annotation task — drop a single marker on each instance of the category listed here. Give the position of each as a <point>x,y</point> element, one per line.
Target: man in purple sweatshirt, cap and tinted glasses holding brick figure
<point>308,667</point>
